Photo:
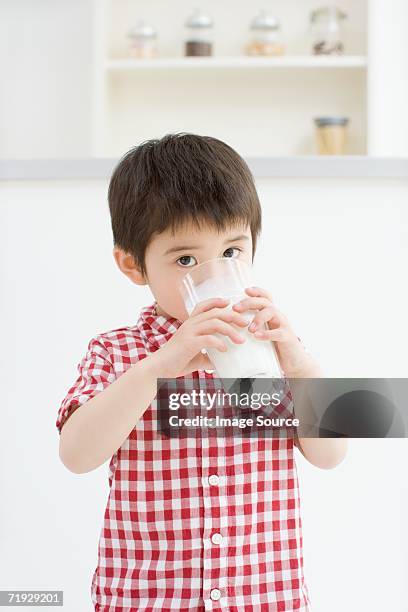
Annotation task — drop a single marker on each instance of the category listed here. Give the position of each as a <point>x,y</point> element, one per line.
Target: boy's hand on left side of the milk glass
<point>182,353</point>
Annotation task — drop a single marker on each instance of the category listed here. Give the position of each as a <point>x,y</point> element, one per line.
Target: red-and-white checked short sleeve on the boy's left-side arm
<point>95,373</point>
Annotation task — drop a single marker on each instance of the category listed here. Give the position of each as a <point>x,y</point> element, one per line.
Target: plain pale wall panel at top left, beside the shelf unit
<point>46,77</point>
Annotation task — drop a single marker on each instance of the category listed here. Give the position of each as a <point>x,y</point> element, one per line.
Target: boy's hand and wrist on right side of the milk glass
<point>293,358</point>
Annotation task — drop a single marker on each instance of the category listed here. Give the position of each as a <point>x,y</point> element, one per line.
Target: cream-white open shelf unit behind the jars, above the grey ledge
<point>261,106</point>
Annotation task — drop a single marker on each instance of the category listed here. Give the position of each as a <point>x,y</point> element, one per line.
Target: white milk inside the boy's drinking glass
<point>253,358</point>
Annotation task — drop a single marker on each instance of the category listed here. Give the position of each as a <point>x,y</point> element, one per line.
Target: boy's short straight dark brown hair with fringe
<point>180,178</point>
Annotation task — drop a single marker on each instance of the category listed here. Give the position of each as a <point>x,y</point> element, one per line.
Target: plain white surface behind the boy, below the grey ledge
<point>333,254</point>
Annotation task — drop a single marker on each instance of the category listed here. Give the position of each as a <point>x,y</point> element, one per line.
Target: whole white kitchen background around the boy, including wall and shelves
<point>333,252</point>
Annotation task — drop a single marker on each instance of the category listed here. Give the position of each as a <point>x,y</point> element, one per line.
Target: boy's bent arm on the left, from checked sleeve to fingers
<point>90,435</point>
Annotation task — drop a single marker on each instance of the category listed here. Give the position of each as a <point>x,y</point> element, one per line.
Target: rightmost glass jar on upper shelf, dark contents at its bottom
<point>327,31</point>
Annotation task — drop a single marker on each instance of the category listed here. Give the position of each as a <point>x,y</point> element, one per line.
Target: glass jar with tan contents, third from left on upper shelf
<point>266,38</point>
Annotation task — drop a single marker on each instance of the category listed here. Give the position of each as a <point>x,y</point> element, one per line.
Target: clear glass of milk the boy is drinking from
<point>227,278</point>
